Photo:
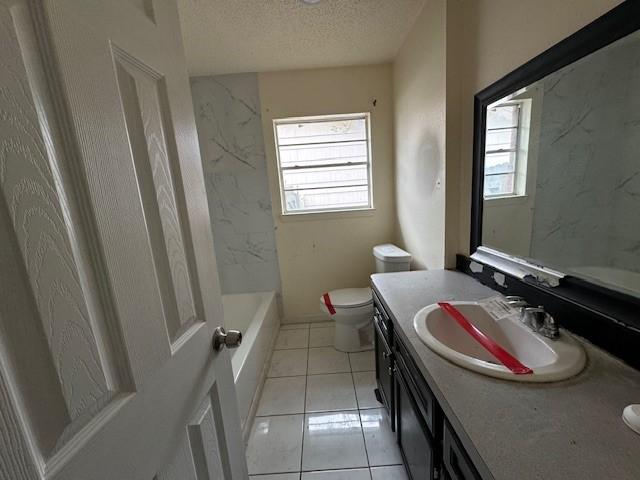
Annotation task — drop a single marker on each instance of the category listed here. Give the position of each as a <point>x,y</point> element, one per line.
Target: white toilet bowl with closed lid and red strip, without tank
<point>352,311</point>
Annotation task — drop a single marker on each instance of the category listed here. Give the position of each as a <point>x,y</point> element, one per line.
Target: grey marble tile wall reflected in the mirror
<point>588,181</point>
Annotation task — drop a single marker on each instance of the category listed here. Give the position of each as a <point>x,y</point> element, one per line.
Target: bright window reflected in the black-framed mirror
<point>501,150</point>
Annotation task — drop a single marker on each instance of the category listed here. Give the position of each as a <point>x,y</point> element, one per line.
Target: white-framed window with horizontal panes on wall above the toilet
<point>324,163</point>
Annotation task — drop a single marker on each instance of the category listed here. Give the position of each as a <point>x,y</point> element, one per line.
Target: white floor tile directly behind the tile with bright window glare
<point>334,391</point>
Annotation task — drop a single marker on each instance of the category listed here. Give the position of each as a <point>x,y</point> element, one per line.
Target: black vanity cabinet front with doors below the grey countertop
<point>430,448</point>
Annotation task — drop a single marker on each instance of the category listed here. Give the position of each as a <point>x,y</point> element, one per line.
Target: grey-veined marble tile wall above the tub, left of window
<point>227,109</point>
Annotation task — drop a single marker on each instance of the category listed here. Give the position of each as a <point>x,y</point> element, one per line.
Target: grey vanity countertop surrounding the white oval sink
<point>516,431</point>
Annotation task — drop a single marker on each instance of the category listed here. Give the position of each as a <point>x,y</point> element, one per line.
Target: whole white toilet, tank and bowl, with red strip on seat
<point>352,308</point>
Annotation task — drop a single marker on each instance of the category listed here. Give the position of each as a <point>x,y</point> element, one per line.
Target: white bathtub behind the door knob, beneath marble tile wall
<point>256,316</point>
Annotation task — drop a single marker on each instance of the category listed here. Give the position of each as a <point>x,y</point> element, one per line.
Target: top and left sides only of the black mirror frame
<point>615,24</point>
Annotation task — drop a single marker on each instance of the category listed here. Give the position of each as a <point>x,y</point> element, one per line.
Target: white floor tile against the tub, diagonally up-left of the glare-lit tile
<point>282,396</point>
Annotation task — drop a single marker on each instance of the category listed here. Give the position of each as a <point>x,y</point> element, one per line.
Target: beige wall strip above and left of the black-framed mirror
<point>501,35</point>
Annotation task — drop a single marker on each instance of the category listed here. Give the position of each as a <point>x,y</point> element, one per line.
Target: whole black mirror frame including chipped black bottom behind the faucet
<point>606,317</point>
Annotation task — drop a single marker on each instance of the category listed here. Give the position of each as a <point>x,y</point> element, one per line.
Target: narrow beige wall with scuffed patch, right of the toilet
<point>419,98</point>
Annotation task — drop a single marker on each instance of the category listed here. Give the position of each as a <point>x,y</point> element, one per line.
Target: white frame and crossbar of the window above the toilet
<point>327,118</point>
